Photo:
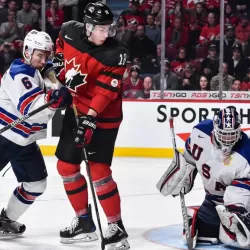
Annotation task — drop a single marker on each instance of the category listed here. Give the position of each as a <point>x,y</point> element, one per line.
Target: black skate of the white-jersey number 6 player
<point>10,228</point>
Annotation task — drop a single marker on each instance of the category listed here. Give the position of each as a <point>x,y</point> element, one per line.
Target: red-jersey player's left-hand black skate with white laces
<point>82,229</point>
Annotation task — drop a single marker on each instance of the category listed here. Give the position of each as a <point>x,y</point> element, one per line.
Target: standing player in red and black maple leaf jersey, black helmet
<point>94,64</point>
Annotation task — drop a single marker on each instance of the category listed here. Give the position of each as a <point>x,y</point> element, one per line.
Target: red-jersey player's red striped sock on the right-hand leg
<point>106,190</point>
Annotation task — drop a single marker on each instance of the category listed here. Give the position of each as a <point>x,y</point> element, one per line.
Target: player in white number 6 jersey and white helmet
<point>23,89</point>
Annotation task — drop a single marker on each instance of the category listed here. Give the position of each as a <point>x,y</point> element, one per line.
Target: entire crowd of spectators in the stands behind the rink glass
<point>192,39</point>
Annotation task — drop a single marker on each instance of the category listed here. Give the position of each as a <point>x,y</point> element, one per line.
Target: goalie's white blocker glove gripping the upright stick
<point>179,176</point>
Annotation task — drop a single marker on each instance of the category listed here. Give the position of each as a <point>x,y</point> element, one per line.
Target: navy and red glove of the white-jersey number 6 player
<point>62,96</point>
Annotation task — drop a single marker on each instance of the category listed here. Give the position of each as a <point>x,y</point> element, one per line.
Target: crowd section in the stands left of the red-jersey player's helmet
<point>18,17</point>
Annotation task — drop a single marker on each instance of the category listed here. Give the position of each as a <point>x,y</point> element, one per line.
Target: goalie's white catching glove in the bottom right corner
<point>235,226</point>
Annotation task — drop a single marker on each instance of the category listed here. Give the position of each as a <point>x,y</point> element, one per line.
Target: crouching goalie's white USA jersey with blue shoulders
<point>225,180</point>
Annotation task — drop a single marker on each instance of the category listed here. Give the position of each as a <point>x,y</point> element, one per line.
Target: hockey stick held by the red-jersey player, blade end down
<point>91,186</point>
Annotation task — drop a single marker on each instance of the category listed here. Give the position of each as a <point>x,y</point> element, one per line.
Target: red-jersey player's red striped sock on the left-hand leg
<point>75,186</point>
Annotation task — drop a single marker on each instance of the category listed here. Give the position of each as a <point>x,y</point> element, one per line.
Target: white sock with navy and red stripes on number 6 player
<point>23,197</point>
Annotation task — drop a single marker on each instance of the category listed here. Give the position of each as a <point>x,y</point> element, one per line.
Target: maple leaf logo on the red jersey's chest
<point>74,77</point>
